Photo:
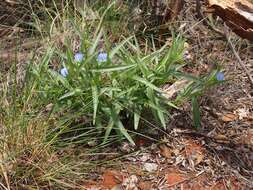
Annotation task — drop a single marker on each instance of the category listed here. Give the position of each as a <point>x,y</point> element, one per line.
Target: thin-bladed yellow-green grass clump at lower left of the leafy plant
<point>27,159</point>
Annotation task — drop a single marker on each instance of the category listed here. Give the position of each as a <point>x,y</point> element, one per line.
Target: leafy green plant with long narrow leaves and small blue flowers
<point>117,93</point>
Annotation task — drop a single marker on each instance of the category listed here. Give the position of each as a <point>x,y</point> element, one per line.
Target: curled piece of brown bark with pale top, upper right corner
<point>237,14</point>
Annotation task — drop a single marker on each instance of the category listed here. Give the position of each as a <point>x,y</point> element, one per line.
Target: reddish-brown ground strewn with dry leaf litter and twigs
<point>217,156</point>
